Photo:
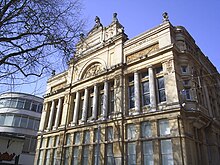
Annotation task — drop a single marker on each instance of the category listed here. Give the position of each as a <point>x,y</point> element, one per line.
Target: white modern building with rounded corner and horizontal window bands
<point>19,121</point>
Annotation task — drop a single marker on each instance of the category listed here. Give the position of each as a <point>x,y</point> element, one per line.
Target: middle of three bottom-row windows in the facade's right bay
<point>148,153</point>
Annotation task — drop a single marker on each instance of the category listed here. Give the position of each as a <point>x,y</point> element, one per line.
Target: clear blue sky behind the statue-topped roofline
<point>199,17</point>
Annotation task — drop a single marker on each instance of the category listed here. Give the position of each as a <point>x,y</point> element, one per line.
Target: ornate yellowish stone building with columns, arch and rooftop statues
<point>152,99</point>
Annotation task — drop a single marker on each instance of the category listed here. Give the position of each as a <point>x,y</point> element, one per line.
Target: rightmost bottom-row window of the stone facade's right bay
<point>166,152</point>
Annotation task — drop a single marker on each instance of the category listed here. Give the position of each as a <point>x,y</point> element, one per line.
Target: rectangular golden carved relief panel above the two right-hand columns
<point>141,53</point>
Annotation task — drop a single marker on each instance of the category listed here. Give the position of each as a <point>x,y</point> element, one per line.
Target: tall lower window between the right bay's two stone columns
<point>145,93</point>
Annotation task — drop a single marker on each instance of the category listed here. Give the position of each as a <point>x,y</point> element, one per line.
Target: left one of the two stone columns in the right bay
<point>137,104</point>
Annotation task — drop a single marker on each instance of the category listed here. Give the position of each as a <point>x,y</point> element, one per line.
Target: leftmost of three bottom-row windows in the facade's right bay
<point>131,153</point>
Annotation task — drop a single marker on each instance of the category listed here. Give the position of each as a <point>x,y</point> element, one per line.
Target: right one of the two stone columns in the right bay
<point>152,89</point>
